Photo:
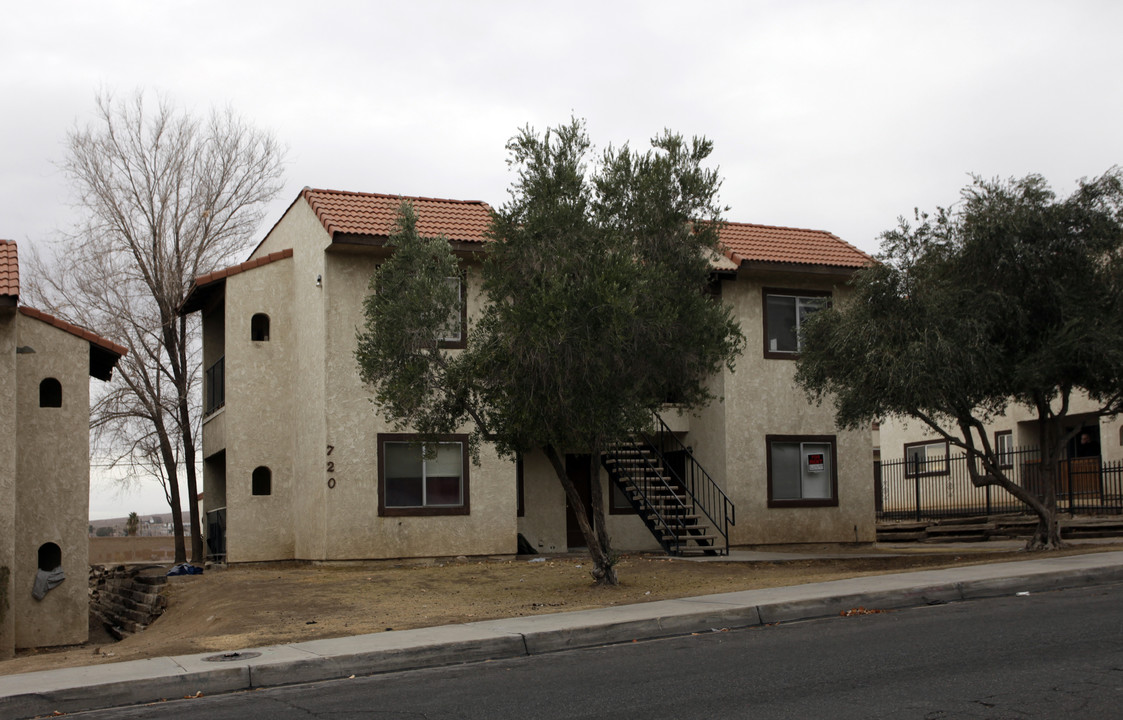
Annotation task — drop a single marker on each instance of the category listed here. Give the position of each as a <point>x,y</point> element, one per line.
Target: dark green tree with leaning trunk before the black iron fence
<point>1012,296</point>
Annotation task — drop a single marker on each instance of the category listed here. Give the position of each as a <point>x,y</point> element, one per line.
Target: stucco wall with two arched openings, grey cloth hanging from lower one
<point>52,497</point>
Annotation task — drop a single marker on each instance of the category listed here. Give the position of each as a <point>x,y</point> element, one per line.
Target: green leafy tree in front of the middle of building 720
<point>596,309</point>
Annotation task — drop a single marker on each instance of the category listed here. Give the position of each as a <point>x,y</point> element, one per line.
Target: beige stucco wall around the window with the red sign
<point>761,398</point>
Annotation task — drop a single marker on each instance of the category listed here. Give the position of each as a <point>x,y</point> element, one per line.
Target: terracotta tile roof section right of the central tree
<point>764,244</point>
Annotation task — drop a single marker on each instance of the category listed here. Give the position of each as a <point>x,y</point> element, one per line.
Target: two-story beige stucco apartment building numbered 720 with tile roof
<point>299,464</point>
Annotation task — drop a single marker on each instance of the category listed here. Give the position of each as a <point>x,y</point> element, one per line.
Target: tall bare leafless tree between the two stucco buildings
<point>166,197</point>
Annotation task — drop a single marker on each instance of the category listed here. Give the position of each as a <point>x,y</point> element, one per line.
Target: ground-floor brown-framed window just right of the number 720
<point>419,478</point>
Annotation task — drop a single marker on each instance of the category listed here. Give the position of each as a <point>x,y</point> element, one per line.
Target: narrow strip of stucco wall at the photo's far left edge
<point>7,480</point>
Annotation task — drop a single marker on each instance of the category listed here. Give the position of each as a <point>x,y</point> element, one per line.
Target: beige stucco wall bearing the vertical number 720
<point>290,399</point>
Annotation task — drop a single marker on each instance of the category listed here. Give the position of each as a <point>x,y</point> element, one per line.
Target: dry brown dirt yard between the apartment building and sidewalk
<point>245,607</point>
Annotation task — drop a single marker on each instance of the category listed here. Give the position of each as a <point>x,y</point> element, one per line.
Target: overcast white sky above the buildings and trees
<point>837,116</point>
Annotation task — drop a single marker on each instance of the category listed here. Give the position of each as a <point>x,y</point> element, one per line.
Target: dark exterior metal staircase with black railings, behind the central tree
<point>678,500</point>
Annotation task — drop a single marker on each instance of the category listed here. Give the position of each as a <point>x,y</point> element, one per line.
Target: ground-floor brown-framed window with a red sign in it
<point>802,471</point>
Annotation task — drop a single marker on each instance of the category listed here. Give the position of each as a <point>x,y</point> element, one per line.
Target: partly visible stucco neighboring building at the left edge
<point>45,370</point>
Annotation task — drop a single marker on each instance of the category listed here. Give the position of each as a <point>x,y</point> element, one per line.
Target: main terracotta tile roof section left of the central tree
<point>377,215</point>
